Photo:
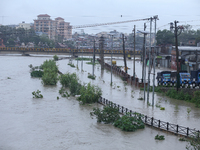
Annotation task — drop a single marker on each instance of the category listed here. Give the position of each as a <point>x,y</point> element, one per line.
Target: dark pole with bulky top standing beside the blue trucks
<point>176,34</point>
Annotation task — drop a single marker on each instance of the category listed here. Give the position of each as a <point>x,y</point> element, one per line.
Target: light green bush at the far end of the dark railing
<point>89,93</point>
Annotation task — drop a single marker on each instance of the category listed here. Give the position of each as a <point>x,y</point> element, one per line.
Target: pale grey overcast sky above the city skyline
<point>82,12</point>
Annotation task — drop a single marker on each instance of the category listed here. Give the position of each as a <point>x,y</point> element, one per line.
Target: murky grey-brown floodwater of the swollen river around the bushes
<point>41,124</point>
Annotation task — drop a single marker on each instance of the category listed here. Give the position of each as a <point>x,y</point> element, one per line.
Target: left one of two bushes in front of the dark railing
<point>107,115</point>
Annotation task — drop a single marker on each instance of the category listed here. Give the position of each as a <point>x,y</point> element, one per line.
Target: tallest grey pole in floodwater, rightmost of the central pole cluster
<point>154,60</point>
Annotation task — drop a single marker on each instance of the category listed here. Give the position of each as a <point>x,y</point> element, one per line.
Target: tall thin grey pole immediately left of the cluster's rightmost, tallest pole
<point>149,71</point>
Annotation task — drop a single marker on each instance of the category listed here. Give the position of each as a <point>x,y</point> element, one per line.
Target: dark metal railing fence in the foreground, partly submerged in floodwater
<point>150,121</point>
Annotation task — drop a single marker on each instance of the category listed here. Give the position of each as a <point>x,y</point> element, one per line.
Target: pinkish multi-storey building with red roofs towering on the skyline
<point>53,28</point>
